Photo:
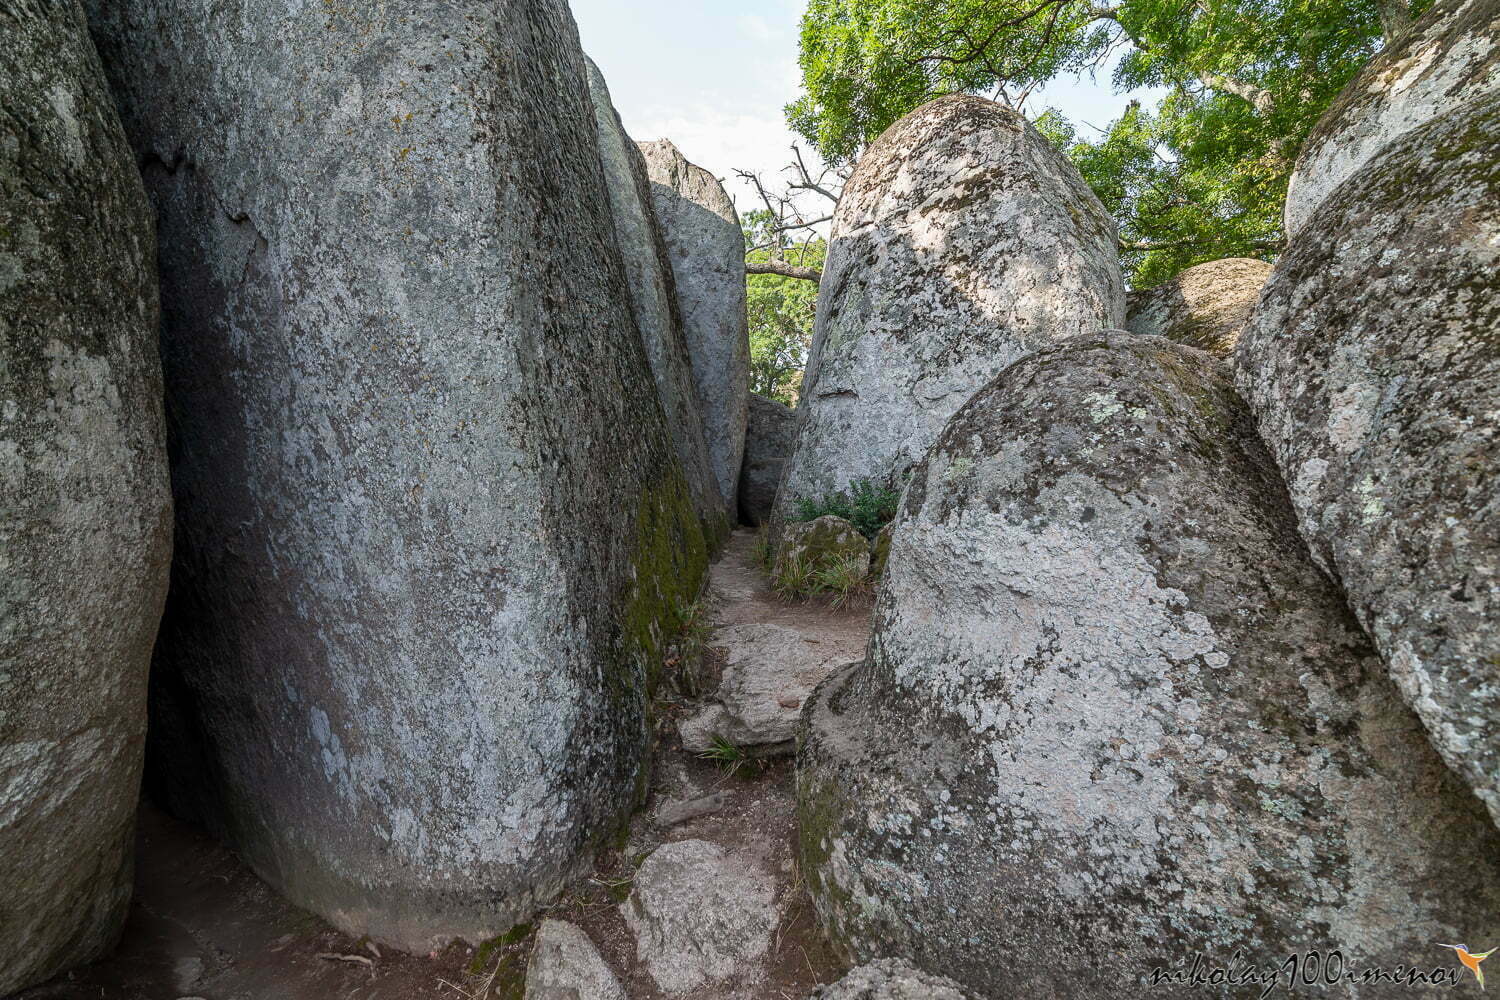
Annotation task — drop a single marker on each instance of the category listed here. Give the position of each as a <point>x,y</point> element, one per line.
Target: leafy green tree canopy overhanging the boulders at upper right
<point>1201,178</point>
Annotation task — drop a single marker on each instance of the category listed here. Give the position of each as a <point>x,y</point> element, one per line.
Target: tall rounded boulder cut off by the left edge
<point>85,501</point>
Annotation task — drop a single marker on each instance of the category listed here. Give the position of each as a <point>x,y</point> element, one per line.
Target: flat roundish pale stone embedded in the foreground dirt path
<point>700,915</point>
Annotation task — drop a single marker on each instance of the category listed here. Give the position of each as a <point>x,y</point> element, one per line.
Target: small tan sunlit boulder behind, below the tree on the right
<point>1204,308</point>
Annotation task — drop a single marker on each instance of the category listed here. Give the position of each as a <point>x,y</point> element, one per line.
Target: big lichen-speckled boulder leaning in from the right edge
<point>1375,374</point>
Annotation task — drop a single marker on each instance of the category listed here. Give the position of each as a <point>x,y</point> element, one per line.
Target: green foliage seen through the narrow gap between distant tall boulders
<point>781,308</point>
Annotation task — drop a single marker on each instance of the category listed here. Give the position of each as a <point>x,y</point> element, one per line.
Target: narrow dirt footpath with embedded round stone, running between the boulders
<point>730,828</point>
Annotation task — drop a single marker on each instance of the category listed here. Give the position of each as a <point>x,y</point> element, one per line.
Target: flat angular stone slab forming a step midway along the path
<point>770,671</point>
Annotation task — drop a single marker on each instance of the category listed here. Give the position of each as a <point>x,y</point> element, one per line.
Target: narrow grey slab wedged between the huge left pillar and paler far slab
<point>653,302</point>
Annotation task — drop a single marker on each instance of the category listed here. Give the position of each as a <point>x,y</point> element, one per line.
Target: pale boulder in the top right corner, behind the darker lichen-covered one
<point>1450,58</point>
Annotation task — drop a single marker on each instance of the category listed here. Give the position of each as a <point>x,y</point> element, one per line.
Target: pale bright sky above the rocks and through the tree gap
<point>713,76</point>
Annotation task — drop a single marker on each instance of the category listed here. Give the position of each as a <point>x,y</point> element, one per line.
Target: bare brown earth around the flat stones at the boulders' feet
<point>203,927</point>
